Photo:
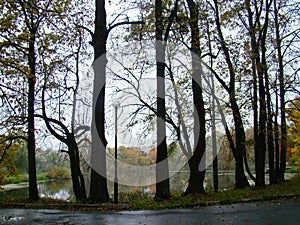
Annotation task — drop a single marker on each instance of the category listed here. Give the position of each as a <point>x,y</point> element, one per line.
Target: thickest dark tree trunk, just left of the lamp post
<point>98,187</point>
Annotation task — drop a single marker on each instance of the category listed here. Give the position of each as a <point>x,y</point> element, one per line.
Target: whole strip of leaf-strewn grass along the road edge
<point>142,201</point>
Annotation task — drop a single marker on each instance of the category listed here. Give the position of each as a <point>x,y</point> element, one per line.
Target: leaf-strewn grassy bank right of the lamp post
<point>141,201</point>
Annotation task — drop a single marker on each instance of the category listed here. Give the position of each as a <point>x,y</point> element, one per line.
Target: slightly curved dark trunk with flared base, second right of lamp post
<point>197,161</point>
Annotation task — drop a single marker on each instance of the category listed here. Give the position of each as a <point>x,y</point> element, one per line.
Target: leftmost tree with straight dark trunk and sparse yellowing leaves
<point>27,43</point>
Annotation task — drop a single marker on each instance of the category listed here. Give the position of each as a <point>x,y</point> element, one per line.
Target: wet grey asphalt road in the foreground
<point>283,212</point>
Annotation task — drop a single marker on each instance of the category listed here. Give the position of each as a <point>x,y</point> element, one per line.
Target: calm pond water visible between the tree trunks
<point>62,189</point>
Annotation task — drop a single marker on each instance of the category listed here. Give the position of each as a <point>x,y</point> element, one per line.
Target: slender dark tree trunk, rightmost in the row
<point>283,127</point>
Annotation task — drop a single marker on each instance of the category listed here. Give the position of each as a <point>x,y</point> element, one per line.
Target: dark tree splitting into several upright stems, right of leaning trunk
<point>258,35</point>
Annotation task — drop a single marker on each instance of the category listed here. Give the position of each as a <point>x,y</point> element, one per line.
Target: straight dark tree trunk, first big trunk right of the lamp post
<point>162,166</point>
